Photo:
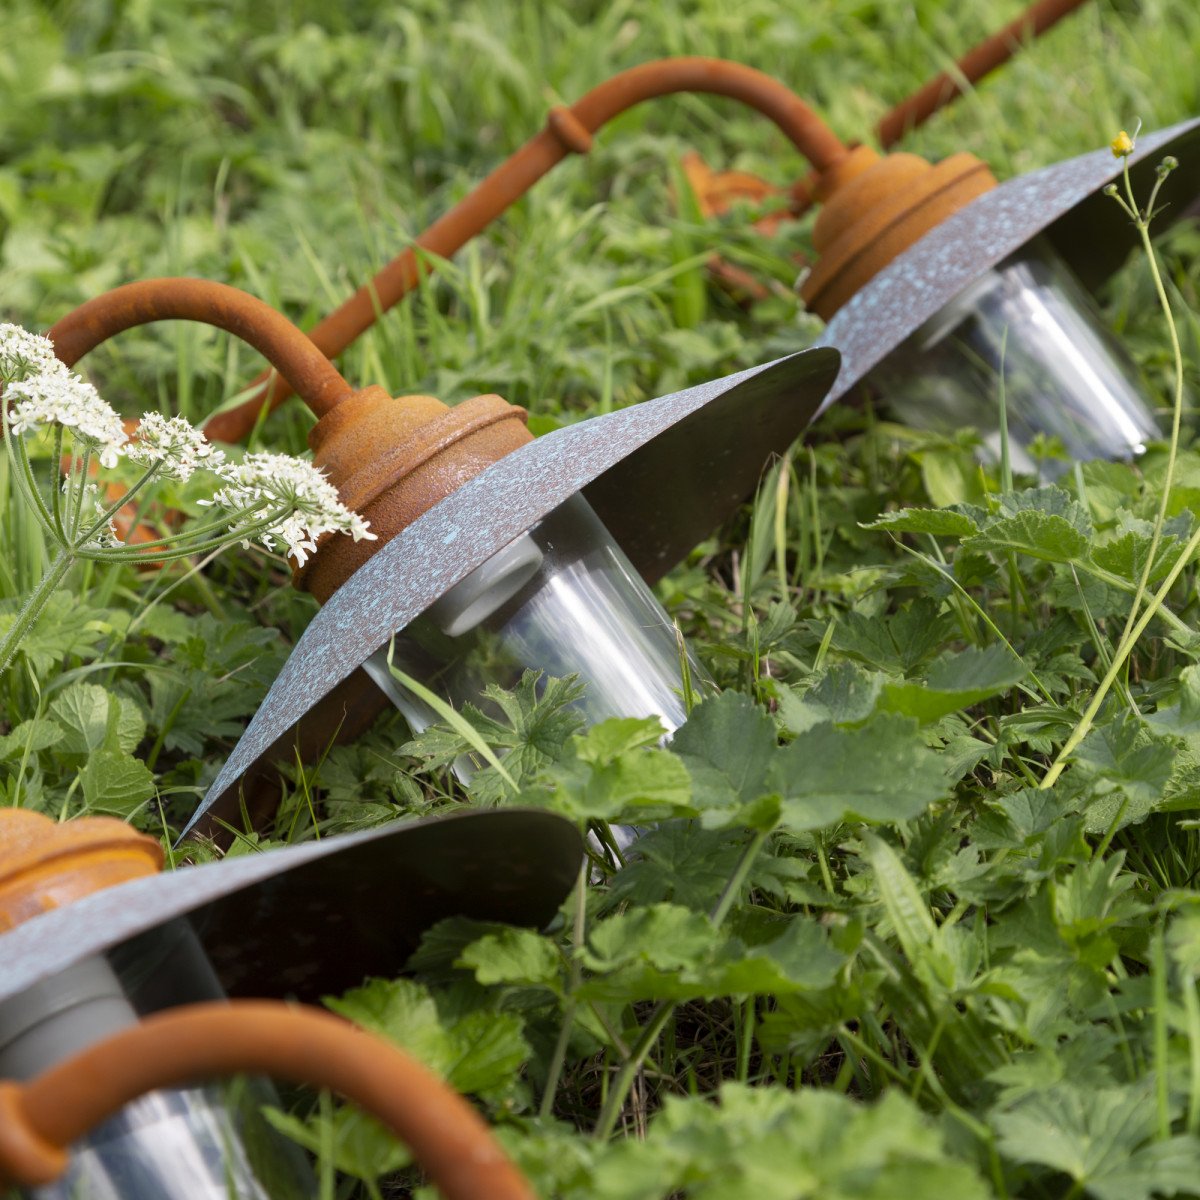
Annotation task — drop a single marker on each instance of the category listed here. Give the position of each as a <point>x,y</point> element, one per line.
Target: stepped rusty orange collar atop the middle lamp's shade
<point>393,459</point>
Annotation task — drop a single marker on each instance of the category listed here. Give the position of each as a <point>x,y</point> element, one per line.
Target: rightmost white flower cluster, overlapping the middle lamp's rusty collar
<point>268,483</point>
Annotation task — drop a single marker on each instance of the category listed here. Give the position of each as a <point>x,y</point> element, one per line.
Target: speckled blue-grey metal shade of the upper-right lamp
<point>1065,202</point>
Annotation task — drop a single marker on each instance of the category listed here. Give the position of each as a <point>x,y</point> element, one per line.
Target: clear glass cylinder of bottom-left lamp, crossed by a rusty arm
<point>177,1144</point>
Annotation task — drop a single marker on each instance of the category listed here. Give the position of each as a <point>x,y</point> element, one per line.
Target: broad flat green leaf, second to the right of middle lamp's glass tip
<point>880,772</point>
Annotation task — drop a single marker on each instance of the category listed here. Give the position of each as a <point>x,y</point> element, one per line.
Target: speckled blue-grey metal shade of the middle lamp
<point>661,476</point>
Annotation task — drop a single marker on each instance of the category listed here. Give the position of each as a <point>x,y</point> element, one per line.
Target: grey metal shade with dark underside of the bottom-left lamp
<point>256,915</point>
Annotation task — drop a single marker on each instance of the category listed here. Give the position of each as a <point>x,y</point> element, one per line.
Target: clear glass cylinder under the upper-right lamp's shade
<point>1065,375</point>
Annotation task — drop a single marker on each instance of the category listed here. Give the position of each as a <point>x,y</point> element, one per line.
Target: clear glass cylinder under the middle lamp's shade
<point>562,599</point>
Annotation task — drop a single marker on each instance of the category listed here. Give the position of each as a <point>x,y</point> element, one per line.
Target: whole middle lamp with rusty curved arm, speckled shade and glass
<point>488,559</point>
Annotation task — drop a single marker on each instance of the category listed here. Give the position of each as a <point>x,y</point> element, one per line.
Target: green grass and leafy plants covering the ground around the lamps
<point>865,955</point>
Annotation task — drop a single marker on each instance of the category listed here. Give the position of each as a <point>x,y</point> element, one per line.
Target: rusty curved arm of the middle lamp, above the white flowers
<point>290,351</point>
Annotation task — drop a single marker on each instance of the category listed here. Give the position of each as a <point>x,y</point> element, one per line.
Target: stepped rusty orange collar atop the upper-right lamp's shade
<point>875,209</point>
